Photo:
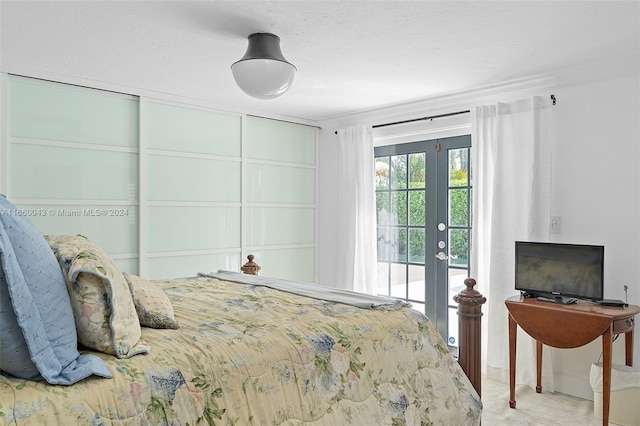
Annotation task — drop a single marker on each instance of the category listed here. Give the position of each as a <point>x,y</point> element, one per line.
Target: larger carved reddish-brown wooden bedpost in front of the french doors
<point>470,303</point>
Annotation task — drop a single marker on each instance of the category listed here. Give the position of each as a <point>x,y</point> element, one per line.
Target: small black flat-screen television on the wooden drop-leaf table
<point>554,269</point>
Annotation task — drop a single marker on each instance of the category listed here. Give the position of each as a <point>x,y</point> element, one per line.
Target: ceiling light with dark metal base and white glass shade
<point>263,72</point>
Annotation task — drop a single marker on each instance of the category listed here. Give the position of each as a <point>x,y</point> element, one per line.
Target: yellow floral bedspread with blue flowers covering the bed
<point>248,355</point>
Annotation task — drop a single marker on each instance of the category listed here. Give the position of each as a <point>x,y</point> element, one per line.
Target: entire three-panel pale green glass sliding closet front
<point>167,190</point>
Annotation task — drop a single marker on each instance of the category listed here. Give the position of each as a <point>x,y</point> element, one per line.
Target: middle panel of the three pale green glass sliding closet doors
<point>191,190</point>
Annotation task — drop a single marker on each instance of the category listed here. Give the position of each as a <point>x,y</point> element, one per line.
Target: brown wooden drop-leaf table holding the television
<point>569,326</point>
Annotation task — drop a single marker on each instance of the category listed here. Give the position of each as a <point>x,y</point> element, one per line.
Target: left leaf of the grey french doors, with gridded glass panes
<point>401,199</point>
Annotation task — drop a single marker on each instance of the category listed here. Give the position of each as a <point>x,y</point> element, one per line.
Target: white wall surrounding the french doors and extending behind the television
<point>595,185</point>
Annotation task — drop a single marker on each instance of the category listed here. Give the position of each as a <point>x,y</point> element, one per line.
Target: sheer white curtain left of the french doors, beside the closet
<point>356,255</point>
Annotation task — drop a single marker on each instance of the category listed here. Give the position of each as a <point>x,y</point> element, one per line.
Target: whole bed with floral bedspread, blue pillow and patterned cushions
<point>226,348</point>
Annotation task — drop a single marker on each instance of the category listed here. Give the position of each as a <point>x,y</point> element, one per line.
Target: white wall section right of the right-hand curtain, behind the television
<point>596,191</point>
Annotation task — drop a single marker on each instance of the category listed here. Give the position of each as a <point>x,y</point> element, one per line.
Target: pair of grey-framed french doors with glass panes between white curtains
<point>423,204</point>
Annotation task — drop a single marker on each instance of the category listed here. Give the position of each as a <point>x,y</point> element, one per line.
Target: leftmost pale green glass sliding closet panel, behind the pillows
<point>73,162</point>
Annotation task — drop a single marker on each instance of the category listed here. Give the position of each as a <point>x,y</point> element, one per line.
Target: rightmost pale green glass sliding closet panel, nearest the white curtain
<point>279,197</point>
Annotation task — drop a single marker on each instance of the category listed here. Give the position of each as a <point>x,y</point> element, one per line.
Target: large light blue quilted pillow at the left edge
<point>38,338</point>
